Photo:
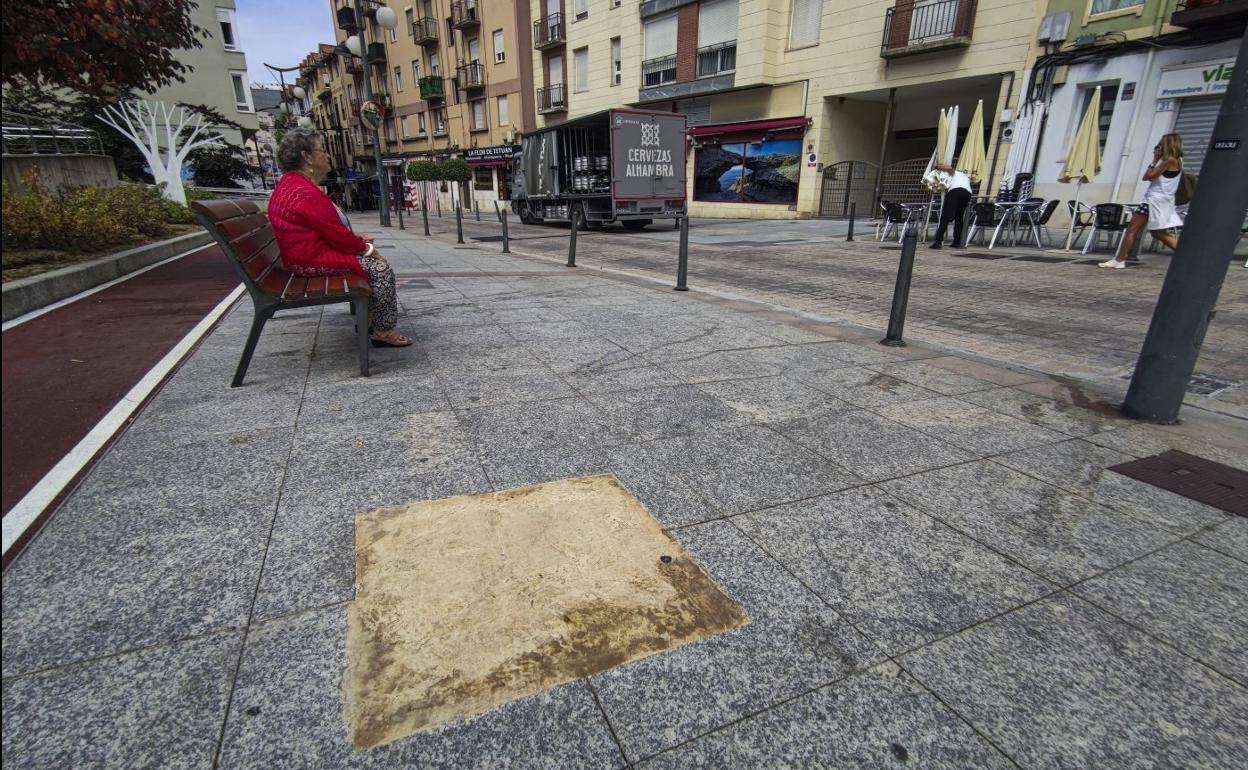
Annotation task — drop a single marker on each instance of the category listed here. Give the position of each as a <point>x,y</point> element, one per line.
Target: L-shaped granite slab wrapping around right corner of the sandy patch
<point>793,645</point>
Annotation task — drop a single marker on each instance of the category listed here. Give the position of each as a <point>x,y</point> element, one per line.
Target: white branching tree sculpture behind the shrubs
<point>142,123</point>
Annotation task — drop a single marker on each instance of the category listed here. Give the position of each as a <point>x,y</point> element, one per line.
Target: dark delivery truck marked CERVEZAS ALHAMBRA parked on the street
<point>625,167</point>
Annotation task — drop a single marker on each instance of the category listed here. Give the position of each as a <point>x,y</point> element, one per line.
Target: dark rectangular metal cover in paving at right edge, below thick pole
<point>1195,479</point>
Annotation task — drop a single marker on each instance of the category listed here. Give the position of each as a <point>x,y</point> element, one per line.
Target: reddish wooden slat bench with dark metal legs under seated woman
<point>245,235</point>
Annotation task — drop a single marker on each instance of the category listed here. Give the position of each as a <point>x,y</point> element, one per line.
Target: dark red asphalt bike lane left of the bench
<point>66,370</point>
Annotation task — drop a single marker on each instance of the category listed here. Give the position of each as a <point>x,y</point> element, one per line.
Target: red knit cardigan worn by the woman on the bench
<point>309,230</point>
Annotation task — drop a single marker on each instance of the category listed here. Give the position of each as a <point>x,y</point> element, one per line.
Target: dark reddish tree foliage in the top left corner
<point>99,48</point>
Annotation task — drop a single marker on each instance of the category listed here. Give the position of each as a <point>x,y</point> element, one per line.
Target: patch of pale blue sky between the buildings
<point>281,33</point>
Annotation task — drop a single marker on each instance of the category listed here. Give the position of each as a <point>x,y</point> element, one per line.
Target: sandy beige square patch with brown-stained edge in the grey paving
<point>471,602</point>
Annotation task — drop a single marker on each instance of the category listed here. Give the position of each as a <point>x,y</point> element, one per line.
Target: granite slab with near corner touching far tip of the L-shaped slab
<point>751,469</point>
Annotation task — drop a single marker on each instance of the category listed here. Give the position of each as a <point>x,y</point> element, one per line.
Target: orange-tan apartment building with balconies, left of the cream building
<point>454,79</point>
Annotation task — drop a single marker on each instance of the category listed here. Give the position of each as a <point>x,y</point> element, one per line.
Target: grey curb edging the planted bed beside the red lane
<point>27,295</point>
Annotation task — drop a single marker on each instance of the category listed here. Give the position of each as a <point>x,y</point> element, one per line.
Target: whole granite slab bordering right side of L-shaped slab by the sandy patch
<point>898,575</point>
